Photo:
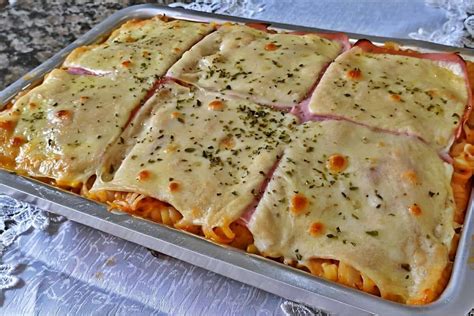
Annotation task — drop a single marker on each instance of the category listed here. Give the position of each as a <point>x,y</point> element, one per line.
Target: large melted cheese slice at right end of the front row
<point>378,202</point>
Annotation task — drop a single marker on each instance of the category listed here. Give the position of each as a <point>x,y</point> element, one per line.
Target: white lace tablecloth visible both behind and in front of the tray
<point>72,269</point>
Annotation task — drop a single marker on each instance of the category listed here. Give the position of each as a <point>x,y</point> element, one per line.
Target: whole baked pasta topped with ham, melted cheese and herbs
<point>351,162</point>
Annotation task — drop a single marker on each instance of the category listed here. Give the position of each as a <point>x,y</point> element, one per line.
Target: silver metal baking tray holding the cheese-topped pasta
<point>290,283</point>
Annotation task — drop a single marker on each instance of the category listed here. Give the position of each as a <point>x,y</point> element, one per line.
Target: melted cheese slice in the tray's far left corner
<point>143,48</point>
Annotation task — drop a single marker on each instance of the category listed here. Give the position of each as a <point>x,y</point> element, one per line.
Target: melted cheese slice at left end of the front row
<point>65,124</point>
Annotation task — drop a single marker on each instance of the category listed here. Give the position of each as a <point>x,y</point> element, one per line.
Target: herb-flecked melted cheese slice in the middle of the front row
<point>205,155</point>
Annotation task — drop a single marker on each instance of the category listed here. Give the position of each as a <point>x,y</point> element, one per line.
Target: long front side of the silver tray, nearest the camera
<point>254,270</point>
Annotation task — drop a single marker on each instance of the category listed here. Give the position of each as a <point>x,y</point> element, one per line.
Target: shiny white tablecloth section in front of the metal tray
<point>73,269</point>
